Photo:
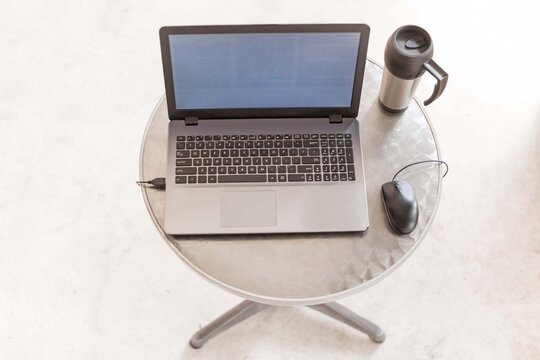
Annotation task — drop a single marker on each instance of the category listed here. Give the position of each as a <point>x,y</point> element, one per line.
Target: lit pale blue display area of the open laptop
<point>264,70</point>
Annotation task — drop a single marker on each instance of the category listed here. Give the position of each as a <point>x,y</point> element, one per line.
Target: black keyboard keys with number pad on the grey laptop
<point>274,158</point>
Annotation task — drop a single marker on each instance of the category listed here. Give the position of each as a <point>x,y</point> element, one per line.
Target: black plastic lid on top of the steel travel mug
<point>407,50</point>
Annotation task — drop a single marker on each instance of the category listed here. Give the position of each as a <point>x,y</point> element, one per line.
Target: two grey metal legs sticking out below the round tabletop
<point>248,308</point>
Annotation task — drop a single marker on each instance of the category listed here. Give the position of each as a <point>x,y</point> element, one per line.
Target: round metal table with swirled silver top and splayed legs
<point>312,269</point>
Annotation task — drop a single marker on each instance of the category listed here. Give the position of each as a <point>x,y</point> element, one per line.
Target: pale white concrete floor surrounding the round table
<point>85,275</point>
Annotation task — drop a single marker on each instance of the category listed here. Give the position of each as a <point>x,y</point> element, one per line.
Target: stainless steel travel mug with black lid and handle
<point>408,54</point>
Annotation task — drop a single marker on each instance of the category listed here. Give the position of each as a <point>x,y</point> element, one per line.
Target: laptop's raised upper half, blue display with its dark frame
<point>263,71</point>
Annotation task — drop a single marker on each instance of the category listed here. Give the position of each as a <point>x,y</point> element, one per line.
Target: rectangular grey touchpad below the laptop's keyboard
<point>248,208</point>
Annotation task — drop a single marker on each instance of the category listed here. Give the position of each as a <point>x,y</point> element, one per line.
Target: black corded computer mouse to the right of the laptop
<point>400,205</point>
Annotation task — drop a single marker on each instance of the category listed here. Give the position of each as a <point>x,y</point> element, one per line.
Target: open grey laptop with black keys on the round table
<point>263,136</point>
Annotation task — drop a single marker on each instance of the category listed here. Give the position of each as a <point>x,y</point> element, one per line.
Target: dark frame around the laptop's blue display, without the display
<point>181,114</point>
